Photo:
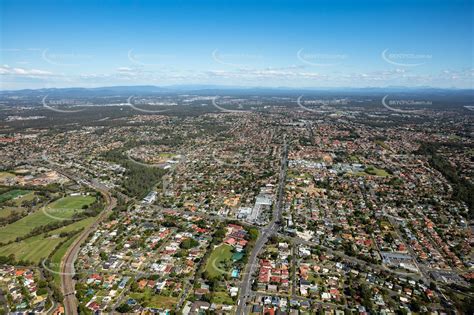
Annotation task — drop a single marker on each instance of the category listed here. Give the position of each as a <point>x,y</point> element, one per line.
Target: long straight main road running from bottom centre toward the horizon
<point>265,233</point>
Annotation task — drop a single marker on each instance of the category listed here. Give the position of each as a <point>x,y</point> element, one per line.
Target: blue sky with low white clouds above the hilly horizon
<point>300,44</point>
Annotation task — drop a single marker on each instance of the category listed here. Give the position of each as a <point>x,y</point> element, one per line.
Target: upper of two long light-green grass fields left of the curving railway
<point>63,208</point>
